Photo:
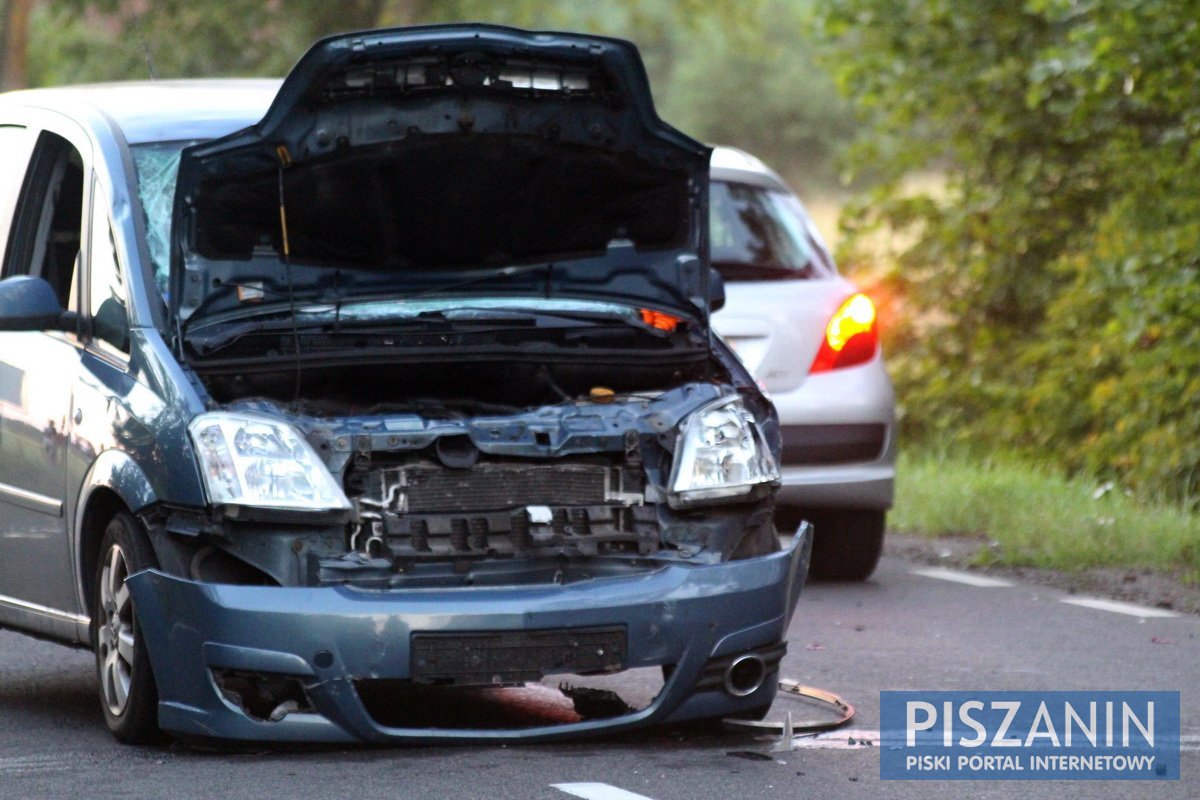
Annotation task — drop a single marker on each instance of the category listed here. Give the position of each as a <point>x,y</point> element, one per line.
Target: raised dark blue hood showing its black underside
<point>424,161</point>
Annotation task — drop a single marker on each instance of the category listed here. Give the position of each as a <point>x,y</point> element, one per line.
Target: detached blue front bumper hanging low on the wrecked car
<point>328,637</point>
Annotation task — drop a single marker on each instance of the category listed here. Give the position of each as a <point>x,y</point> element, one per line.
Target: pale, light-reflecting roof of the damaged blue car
<point>163,111</point>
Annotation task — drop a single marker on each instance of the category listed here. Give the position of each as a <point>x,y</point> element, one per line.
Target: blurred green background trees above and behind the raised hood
<point>730,71</point>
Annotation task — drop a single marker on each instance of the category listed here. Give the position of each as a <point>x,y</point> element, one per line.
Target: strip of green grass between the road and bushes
<point>1029,515</point>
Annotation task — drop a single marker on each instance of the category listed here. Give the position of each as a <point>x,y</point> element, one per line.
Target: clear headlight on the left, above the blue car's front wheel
<point>256,461</point>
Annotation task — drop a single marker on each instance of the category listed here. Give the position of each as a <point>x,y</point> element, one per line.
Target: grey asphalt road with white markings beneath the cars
<point>902,630</point>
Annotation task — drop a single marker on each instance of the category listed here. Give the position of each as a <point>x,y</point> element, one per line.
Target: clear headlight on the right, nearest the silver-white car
<point>721,454</point>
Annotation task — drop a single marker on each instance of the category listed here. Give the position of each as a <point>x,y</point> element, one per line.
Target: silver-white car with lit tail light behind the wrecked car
<point>811,339</point>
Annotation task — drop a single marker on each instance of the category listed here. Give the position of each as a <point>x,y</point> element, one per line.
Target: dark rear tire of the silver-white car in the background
<point>847,544</point>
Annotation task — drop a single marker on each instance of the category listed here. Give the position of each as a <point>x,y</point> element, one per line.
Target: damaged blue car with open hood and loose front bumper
<point>338,408</point>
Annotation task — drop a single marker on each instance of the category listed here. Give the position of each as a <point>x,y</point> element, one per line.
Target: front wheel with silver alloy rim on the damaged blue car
<point>129,697</point>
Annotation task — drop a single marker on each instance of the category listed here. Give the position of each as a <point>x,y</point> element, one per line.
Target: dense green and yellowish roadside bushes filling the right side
<point>1052,285</point>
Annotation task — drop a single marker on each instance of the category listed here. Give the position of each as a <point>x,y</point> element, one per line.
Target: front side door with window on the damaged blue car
<point>43,233</point>
